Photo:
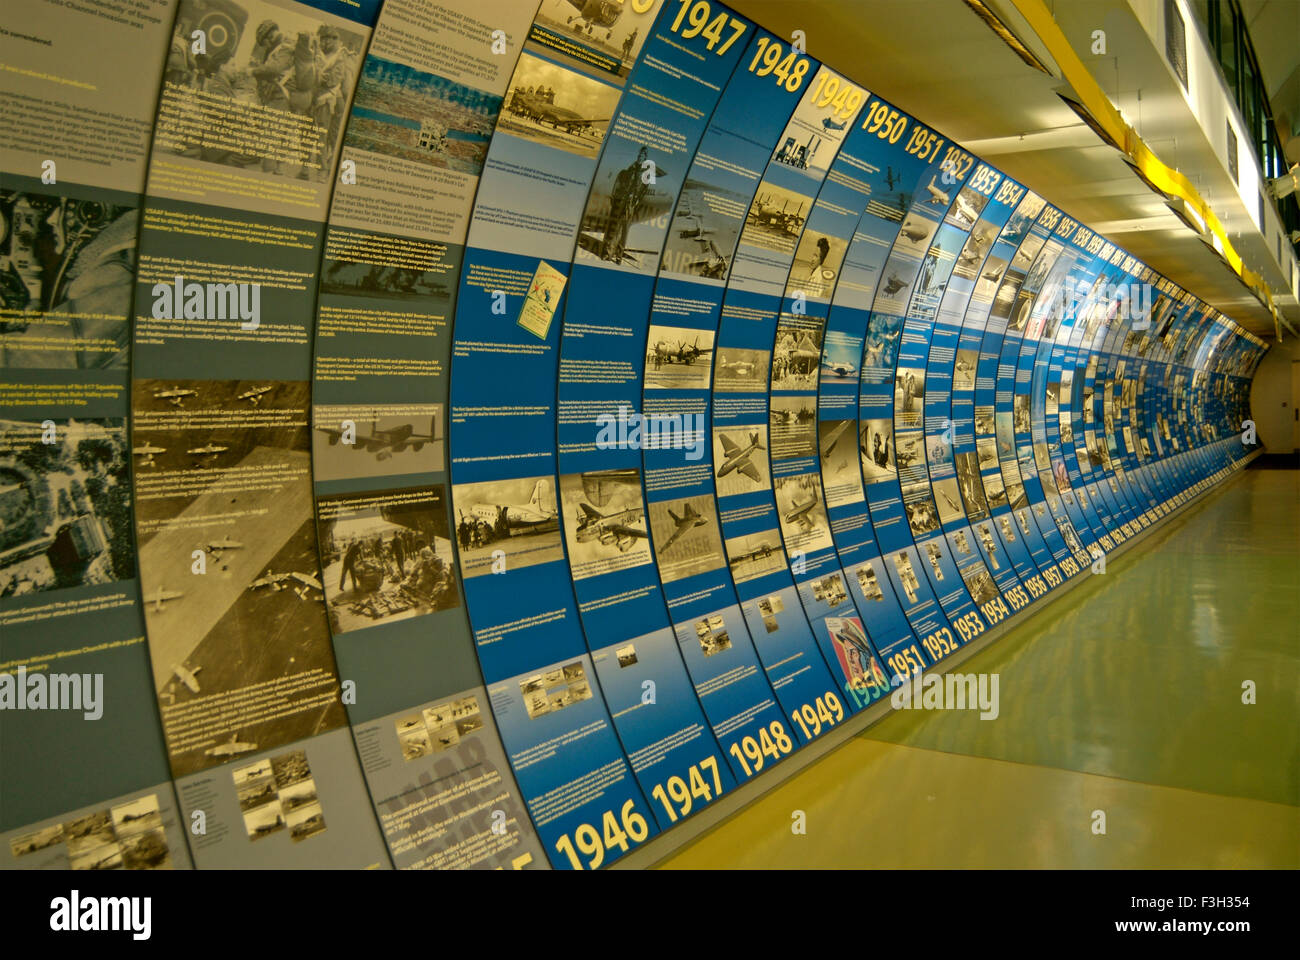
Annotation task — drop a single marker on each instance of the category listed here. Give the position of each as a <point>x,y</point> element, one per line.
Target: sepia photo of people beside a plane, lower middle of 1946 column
<point>506,522</point>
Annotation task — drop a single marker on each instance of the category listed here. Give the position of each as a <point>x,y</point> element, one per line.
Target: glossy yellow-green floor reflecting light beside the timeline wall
<point>1124,697</point>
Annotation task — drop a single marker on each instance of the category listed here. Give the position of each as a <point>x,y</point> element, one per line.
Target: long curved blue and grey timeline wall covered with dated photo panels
<point>486,436</point>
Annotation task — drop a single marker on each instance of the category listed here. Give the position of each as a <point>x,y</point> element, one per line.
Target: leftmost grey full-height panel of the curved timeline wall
<point>84,773</point>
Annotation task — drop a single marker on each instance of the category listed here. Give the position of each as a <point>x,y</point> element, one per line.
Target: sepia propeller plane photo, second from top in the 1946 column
<point>557,107</point>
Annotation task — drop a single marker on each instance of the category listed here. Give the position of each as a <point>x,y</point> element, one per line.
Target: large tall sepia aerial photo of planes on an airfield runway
<point>229,496</point>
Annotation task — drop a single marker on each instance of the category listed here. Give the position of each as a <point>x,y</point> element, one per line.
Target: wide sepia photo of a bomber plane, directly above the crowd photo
<point>350,443</point>
